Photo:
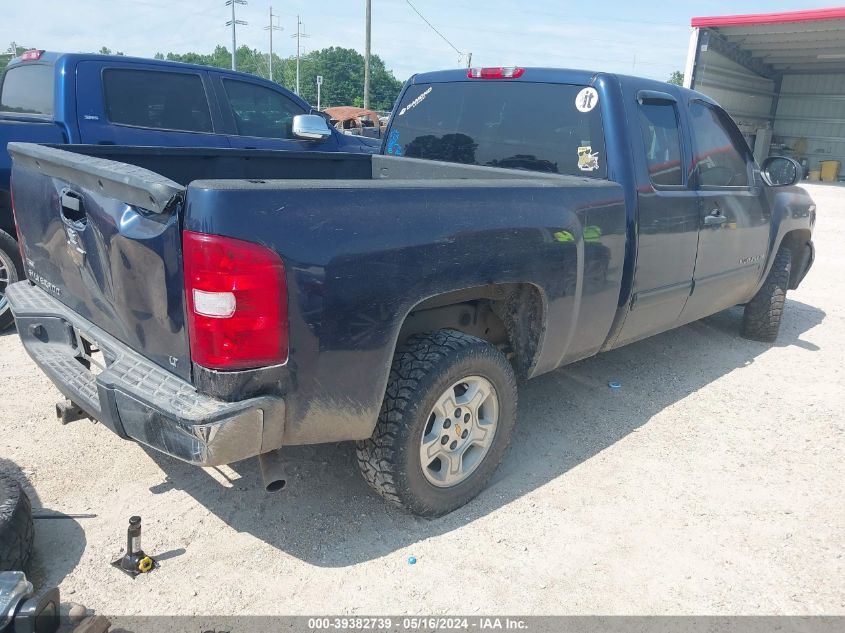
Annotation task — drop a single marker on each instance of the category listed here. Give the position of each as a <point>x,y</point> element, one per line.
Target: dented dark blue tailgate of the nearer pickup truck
<point>104,239</point>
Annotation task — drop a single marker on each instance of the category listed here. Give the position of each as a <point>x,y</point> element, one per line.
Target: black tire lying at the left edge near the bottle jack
<point>16,528</point>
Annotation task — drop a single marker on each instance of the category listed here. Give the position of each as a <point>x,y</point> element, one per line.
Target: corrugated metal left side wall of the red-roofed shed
<point>746,96</point>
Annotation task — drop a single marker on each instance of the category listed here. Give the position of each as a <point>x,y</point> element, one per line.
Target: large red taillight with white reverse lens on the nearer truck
<point>237,302</point>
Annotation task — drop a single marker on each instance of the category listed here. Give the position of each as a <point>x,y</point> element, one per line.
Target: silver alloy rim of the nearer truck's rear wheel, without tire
<point>460,431</point>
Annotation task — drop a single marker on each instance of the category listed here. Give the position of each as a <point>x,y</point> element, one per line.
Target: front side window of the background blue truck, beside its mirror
<point>260,111</point>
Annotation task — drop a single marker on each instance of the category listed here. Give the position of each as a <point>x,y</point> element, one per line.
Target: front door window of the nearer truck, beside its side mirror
<point>721,156</point>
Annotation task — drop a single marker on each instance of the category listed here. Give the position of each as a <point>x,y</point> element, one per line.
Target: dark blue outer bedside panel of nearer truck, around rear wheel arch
<point>360,255</point>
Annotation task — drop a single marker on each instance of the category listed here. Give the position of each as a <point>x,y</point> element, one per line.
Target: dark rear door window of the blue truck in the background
<point>156,99</point>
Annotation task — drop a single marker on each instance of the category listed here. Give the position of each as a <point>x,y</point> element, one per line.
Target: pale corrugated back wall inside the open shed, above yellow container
<point>813,107</point>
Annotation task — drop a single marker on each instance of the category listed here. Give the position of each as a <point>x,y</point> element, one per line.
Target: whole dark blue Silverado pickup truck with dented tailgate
<point>220,304</point>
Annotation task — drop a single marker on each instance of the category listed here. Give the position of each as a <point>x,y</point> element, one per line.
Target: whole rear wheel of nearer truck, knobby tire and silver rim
<point>444,425</point>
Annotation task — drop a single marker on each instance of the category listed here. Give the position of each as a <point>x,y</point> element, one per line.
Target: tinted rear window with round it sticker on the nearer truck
<point>517,124</point>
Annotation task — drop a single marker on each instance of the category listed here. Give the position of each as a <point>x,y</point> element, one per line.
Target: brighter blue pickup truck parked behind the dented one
<point>115,100</point>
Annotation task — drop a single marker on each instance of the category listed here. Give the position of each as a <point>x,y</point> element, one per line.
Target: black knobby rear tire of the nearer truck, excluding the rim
<point>423,369</point>
